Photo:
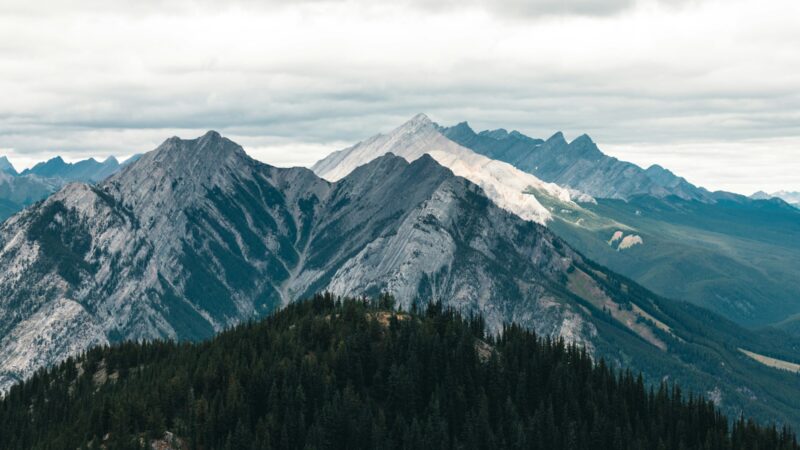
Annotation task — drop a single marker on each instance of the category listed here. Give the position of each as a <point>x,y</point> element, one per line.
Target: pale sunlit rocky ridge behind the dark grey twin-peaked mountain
<point>507,186</point>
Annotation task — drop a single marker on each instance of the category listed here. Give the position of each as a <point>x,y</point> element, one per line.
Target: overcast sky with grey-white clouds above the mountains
<point>709,89</point>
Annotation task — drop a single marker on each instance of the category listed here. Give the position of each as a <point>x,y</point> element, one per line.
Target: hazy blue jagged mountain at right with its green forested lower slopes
<point>719,250</point>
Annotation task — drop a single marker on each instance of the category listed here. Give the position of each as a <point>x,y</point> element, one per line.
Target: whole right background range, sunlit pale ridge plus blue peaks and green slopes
<point>737,256</point>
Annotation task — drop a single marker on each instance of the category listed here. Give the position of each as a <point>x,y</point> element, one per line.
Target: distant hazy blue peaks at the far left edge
<point>20,190</point>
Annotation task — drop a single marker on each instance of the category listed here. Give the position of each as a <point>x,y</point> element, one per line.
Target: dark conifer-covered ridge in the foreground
<point>327,373</point>
